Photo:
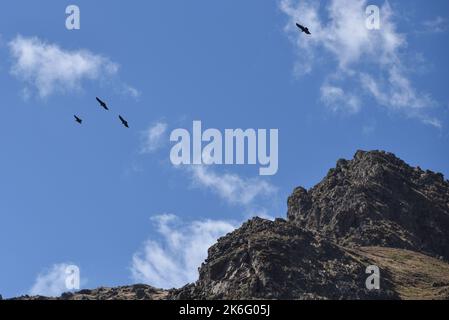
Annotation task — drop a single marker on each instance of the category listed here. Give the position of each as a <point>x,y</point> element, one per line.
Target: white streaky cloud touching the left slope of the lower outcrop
<point>174,260</point>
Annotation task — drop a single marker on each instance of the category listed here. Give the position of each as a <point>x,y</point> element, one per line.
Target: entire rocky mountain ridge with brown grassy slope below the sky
<point>371,210</point>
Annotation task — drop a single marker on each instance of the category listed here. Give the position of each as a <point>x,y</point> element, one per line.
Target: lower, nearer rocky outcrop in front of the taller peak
<point>278,260</point>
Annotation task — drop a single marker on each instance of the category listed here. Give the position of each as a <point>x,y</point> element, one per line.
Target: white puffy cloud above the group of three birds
<point>49,69</point>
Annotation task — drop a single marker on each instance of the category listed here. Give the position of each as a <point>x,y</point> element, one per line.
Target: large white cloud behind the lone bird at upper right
<point>345,35</point>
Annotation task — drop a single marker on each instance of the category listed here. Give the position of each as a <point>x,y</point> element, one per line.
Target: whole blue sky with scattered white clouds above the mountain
<point>108,199</point>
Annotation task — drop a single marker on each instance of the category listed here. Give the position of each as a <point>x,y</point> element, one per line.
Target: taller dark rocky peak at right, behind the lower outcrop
<point>377,199</point>
